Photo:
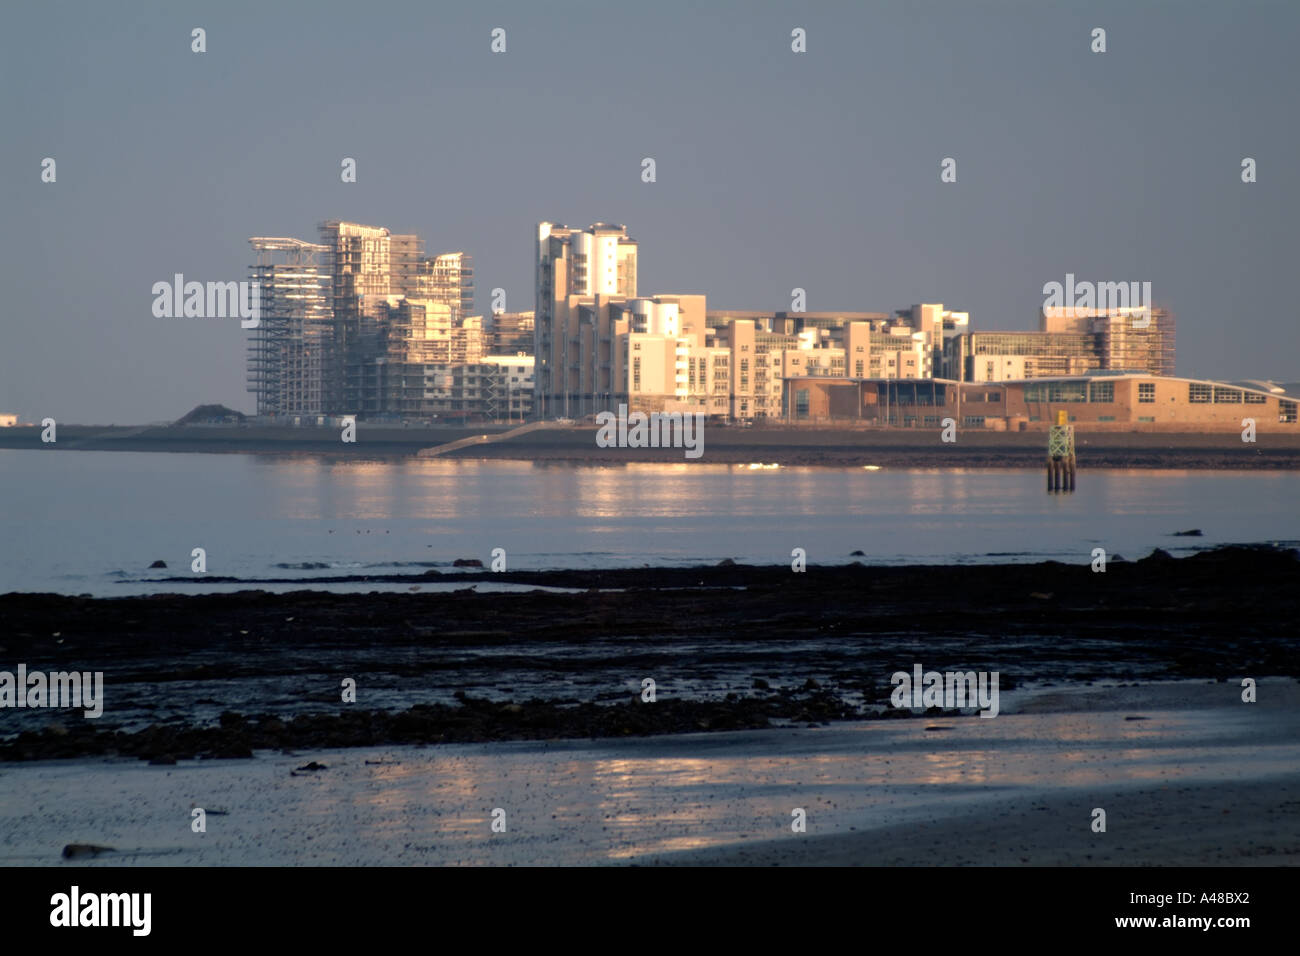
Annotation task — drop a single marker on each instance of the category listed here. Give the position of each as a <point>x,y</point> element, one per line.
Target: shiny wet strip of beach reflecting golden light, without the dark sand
<point>583,803</point>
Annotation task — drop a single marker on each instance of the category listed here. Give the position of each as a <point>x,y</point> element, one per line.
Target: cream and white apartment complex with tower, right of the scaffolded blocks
<point>599,344</point>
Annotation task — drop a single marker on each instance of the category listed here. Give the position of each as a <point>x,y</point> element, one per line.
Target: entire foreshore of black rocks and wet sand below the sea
<point>1120,690</point>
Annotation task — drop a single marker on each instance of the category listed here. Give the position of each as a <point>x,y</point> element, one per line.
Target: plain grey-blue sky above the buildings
<point>774,170</point>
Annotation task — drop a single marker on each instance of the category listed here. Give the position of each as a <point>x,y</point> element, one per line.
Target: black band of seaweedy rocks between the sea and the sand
<point>781,646</point>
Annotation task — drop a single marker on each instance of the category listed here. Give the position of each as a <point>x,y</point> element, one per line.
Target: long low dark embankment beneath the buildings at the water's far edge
<point>791,447</point>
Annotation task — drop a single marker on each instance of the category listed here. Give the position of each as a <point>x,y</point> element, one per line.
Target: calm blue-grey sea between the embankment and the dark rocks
<point>92,522</point>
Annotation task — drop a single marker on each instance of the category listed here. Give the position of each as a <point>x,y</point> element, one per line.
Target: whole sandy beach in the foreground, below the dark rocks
<point>1202,780</point>
